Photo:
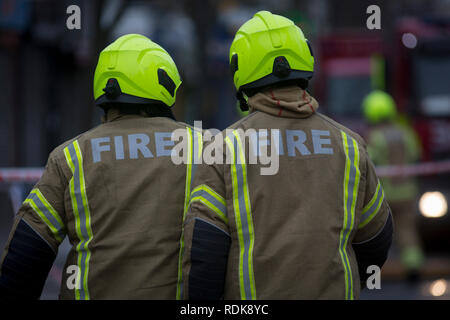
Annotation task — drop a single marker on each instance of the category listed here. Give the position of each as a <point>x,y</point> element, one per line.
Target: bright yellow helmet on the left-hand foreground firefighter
<point>134,69</point>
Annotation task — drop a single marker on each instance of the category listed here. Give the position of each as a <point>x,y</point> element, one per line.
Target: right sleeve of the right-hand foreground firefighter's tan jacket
<point>375,225</point>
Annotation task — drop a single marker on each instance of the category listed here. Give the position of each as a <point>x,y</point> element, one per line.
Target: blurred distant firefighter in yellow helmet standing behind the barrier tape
<point>391,143</point>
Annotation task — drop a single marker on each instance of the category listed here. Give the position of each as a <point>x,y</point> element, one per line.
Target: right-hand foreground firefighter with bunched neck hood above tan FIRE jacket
<point>309,230</point>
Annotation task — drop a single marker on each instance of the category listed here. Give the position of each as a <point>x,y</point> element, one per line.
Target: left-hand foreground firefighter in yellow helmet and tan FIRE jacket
<point>113,191</point>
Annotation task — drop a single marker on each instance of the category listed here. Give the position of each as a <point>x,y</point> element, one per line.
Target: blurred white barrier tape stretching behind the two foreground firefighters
<point>32,175</point>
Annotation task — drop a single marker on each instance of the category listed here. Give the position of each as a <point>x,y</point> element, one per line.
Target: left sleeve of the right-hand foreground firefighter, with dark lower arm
<point>206,236</point>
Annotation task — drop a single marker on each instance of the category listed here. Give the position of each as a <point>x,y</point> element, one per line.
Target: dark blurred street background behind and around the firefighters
<point>46,74</point>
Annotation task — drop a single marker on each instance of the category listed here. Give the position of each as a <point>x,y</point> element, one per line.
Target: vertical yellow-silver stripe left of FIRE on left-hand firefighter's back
<point>80,205</point>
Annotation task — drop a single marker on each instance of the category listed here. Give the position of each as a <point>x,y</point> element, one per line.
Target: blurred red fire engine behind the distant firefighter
<point>413,64</point>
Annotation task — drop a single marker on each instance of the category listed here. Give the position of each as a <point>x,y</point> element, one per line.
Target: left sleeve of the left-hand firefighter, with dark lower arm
<point>33,243</point>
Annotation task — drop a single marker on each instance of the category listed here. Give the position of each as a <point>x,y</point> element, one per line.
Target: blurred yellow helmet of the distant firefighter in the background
<point>379,107</point>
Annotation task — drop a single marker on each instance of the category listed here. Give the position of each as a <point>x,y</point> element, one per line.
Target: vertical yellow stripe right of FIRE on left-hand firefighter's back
<point>187,195</point>
